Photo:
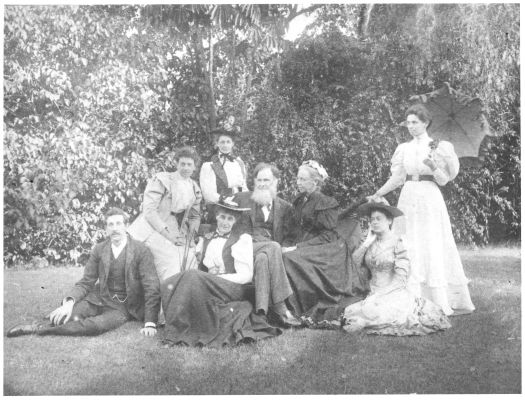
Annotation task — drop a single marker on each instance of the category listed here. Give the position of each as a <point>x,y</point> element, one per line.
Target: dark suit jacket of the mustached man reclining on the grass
<point>142,282</point>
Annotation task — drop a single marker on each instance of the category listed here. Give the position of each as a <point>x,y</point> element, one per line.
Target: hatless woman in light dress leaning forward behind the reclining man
<point>170,217</point>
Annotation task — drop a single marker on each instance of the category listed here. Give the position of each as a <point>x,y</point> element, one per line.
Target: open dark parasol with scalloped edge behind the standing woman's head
<point>456,118</point>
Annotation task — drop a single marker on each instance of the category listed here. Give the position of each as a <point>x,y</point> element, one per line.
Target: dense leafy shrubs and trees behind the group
<point>96,98</point>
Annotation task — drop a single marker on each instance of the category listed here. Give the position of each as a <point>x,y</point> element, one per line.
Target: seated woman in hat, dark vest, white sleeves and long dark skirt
<point>213,306</point>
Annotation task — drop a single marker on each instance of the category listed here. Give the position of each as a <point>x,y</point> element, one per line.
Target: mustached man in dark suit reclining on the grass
<point>127,288</point>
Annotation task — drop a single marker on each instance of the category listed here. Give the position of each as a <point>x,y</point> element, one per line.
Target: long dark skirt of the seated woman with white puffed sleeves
<point>205,310</point>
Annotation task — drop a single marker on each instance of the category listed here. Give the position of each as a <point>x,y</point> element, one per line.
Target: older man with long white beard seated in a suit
<point>268,222</point>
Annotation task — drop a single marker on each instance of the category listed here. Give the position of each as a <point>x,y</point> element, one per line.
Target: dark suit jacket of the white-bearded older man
<point>282,215</point>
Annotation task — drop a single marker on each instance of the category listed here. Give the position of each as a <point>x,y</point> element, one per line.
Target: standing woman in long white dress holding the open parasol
<point>420,166</point>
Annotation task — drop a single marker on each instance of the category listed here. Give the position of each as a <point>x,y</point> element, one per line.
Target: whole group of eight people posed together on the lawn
<point>217,264</point>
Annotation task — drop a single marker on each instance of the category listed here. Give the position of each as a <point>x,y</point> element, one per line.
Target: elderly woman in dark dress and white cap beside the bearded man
<point>317,262</point>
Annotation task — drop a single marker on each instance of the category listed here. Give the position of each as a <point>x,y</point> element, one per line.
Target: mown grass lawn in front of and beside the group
<point>481,353</point>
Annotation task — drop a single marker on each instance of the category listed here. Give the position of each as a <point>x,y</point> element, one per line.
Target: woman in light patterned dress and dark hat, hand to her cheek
<point>389,309</point>
